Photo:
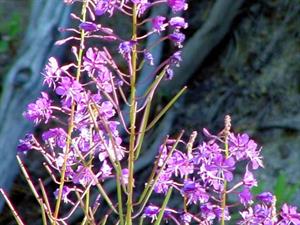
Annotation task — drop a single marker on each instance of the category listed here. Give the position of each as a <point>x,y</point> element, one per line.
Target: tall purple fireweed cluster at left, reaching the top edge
<point>82,145</point>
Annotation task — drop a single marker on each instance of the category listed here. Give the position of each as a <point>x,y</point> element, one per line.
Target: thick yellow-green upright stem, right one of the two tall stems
<point>132,118</point>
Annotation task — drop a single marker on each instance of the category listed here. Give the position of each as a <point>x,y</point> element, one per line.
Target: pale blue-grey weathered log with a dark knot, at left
<point>23,82</point>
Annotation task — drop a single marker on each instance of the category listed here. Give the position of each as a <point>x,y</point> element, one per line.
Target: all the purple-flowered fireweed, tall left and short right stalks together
<point>88,149</point>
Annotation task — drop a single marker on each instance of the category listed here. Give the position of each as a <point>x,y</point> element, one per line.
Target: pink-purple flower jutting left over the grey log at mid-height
<point>40,110</point>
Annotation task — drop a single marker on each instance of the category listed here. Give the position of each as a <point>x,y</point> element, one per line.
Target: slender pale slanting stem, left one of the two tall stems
<point>71,123</point>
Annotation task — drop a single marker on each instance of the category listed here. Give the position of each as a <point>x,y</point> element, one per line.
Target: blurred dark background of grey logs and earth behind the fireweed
<point>240,58</point>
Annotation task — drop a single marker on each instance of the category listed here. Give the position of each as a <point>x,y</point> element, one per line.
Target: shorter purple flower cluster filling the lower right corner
<point>204,176</point>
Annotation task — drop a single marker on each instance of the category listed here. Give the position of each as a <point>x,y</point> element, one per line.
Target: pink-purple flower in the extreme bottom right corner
<point>289,215</point>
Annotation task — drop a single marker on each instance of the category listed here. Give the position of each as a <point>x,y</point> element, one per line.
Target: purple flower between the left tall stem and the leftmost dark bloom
<point>55,136</point>
